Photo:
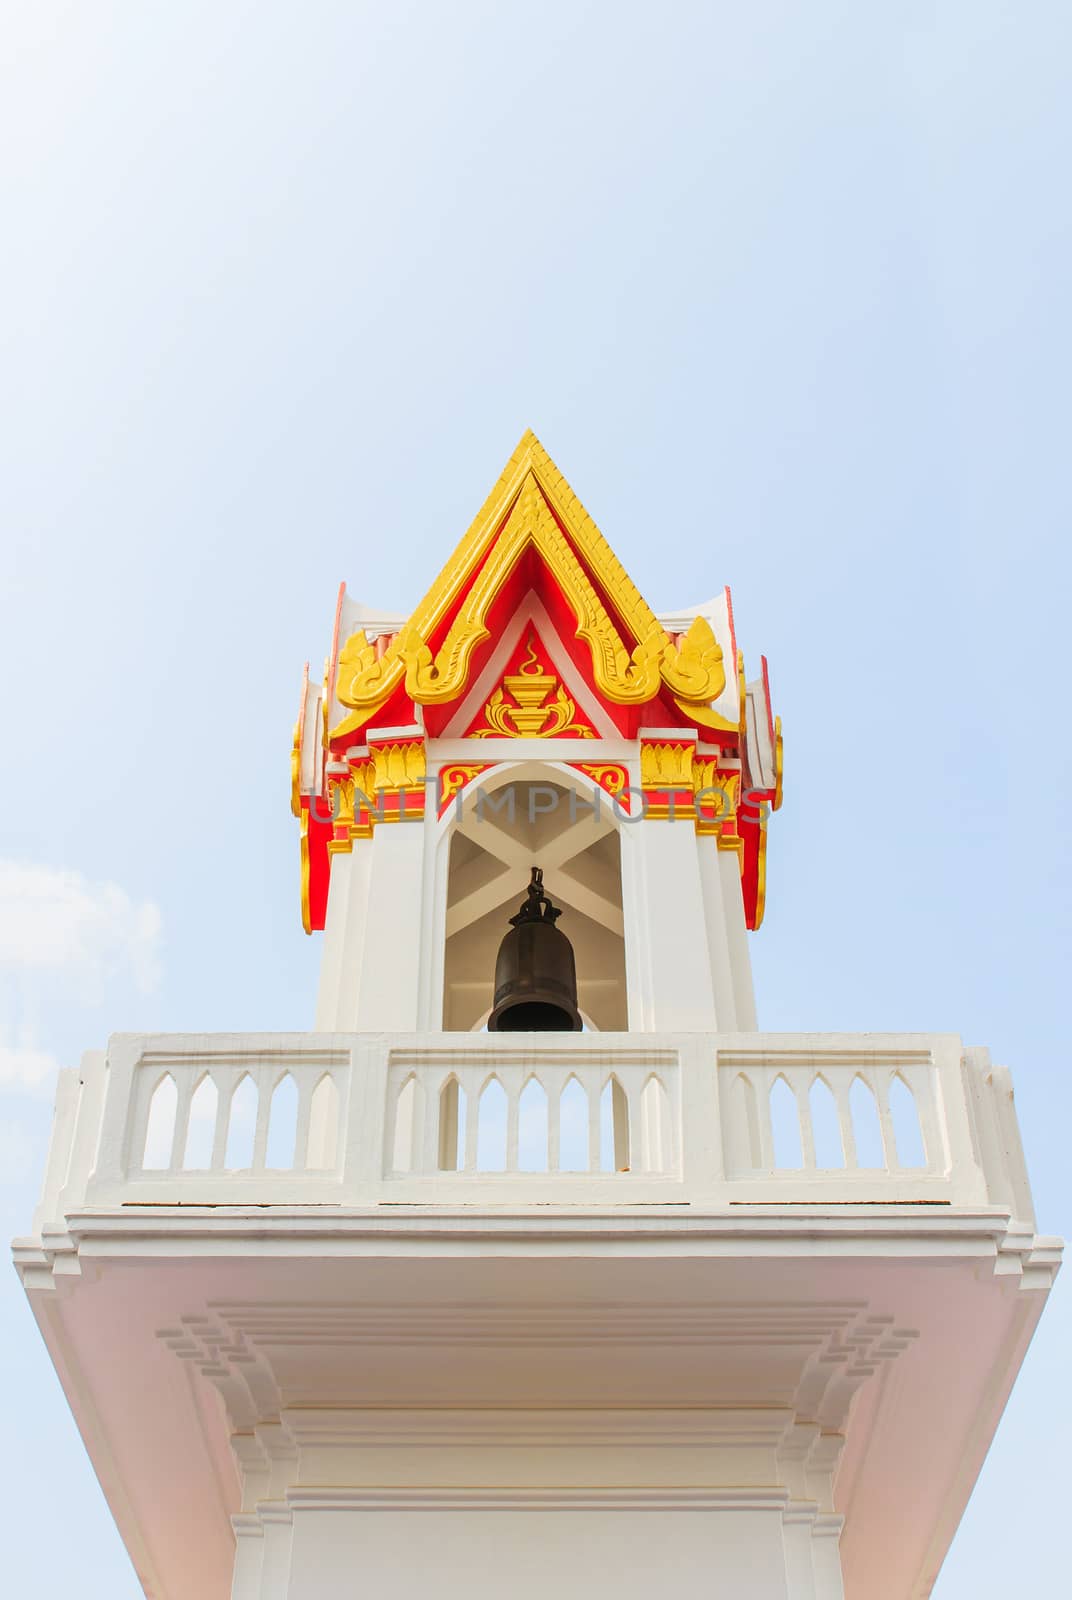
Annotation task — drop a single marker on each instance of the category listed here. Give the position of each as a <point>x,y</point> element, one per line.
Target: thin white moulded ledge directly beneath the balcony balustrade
<point>759,1231</point>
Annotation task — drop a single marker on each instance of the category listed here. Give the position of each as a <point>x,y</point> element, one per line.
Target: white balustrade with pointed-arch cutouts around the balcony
<point>591,1119</point>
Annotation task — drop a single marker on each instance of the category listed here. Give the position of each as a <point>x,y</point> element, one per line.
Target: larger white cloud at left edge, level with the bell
<point>62,922</point>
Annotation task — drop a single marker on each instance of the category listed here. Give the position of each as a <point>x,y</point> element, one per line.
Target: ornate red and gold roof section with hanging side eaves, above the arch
<point>534,631</point>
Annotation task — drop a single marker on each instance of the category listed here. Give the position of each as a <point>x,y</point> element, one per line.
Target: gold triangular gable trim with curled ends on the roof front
<point>532,514</point>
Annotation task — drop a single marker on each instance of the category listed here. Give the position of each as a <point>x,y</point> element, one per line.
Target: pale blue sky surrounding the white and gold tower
<point>783,290</point>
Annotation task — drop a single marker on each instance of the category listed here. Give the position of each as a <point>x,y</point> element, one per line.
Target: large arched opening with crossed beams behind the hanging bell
<point>518,818</point>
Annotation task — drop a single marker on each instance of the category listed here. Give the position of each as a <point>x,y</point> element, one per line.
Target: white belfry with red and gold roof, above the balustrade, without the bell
<point>534,706</point>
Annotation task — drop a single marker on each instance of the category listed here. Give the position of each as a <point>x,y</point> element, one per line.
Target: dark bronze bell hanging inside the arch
<point>535,974</point>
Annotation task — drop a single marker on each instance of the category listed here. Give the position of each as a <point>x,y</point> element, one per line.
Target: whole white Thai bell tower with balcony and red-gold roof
<point>537,1268</point>
